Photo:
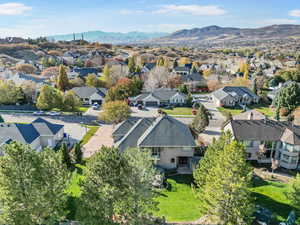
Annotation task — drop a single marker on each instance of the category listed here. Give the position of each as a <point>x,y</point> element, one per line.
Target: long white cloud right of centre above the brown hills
<point>198,10</point>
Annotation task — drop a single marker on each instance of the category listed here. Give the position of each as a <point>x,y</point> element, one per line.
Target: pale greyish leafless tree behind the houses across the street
<point>157,77</point>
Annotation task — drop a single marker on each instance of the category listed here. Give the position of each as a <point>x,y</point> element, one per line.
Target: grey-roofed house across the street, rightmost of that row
<point>232,96</point>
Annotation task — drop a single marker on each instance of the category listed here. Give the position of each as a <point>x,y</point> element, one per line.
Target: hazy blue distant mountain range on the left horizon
<point>109,37</point>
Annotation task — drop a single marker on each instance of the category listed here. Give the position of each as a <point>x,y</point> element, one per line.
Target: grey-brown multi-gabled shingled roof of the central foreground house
<point>164,131</point>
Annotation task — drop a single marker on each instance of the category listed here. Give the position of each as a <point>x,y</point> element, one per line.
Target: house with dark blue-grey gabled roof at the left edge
<point>38,134</point>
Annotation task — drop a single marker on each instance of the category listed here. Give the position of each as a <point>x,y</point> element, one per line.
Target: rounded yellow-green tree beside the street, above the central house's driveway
<point>115,111</point>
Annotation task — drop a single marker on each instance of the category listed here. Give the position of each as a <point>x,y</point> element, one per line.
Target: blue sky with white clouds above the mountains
<point>34,18</point>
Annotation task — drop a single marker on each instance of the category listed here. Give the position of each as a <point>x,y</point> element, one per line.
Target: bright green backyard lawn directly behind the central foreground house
<point>178,203</point>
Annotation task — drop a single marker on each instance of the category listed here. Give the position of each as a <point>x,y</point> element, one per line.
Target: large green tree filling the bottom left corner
<point>32,186</point>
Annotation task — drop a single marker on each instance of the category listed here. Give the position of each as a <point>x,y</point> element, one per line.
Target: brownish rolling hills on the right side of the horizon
<point>214,34</point>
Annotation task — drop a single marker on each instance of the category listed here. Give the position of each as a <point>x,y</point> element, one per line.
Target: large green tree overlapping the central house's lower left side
<point>125,195</point>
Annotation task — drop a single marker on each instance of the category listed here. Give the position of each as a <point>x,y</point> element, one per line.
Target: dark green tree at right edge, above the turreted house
<point>288,97</point>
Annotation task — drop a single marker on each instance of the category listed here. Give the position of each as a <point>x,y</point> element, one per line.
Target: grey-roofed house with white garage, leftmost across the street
<point>90,95</point>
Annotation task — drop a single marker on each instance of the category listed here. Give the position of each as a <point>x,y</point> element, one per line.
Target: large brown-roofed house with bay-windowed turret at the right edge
<point>268,139</point>
